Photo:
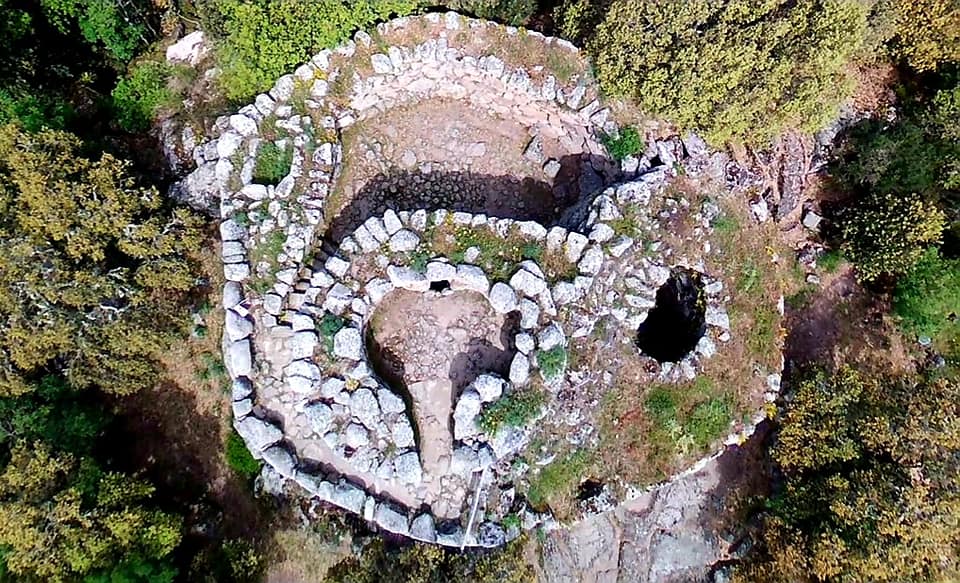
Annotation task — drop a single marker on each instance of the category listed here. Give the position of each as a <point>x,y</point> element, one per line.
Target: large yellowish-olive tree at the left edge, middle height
<point>93,269</point>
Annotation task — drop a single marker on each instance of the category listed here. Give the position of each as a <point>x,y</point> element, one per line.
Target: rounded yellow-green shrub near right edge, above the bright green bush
<point>888,234</point>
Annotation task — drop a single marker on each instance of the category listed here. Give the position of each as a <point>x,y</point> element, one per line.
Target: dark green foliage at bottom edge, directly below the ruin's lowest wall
<point>422,563</point>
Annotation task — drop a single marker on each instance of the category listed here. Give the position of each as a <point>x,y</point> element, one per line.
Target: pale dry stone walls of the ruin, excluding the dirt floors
<point>301,307</point>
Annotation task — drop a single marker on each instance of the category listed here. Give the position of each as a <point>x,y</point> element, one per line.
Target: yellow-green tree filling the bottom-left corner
<point>61,518</point>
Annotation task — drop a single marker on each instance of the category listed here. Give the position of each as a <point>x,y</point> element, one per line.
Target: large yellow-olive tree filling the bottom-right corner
<point>870,490</point>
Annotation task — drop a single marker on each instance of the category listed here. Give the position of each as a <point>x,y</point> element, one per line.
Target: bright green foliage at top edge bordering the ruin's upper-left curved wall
<point>295,30</point>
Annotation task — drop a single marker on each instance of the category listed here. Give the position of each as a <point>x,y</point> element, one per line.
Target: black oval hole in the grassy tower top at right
<point>676,323</point>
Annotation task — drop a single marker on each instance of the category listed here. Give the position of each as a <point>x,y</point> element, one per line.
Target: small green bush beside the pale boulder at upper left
<point>138,97</point>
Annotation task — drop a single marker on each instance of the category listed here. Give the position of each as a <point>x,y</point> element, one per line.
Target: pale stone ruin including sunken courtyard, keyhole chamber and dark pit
<point>380,300</point>
